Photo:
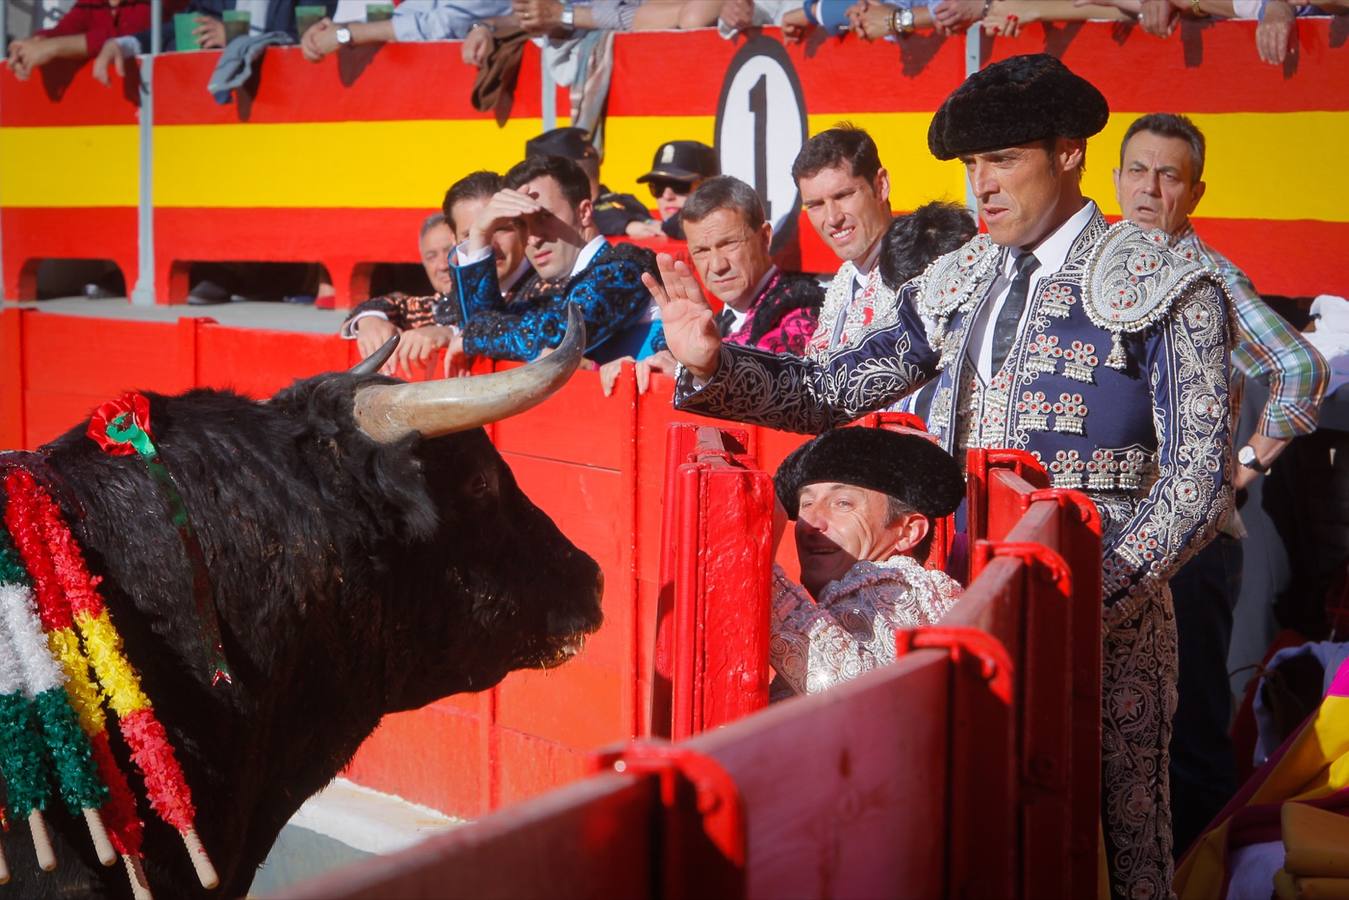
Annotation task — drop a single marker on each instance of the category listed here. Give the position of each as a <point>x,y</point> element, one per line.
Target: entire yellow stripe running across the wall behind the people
<point>1258,168</point>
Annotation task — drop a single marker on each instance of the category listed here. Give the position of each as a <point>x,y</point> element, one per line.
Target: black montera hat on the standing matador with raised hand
<point>1016,102</point>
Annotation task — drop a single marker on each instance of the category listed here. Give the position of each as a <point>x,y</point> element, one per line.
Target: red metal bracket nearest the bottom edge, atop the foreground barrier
<point>717,805</point>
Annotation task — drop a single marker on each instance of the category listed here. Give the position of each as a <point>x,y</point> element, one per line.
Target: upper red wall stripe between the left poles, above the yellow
<point>378,83</point>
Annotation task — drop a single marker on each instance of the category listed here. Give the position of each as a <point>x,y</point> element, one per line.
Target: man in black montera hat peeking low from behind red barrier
<point>865,503</point>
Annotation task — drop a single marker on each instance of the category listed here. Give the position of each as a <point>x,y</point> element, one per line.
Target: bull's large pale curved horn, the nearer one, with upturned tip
<point>391,412</point>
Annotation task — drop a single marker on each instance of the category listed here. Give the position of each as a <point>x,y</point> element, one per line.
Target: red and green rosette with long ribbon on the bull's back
<point>122,428</point>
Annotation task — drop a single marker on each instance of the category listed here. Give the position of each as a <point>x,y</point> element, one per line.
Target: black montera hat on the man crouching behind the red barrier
<point>909,468</point>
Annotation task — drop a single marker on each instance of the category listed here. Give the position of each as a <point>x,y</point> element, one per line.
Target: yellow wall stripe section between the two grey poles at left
<point>339,164</point>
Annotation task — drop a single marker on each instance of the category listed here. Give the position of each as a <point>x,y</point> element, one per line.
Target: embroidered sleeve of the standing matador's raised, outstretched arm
<point>797,395</point>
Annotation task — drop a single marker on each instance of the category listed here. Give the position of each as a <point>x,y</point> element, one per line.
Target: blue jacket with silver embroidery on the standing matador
<point>1118,385</point>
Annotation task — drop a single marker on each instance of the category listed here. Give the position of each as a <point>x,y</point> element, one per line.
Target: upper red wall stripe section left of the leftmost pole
<point>63,94</point>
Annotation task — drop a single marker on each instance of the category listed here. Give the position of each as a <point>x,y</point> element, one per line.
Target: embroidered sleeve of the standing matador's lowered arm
<point>1189,368</point>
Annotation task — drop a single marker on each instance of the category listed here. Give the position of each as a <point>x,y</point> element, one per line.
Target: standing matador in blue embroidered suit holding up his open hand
<point>1095,349</point>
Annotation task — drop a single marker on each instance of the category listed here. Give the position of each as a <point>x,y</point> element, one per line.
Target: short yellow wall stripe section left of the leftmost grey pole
<point>72,167</point>
